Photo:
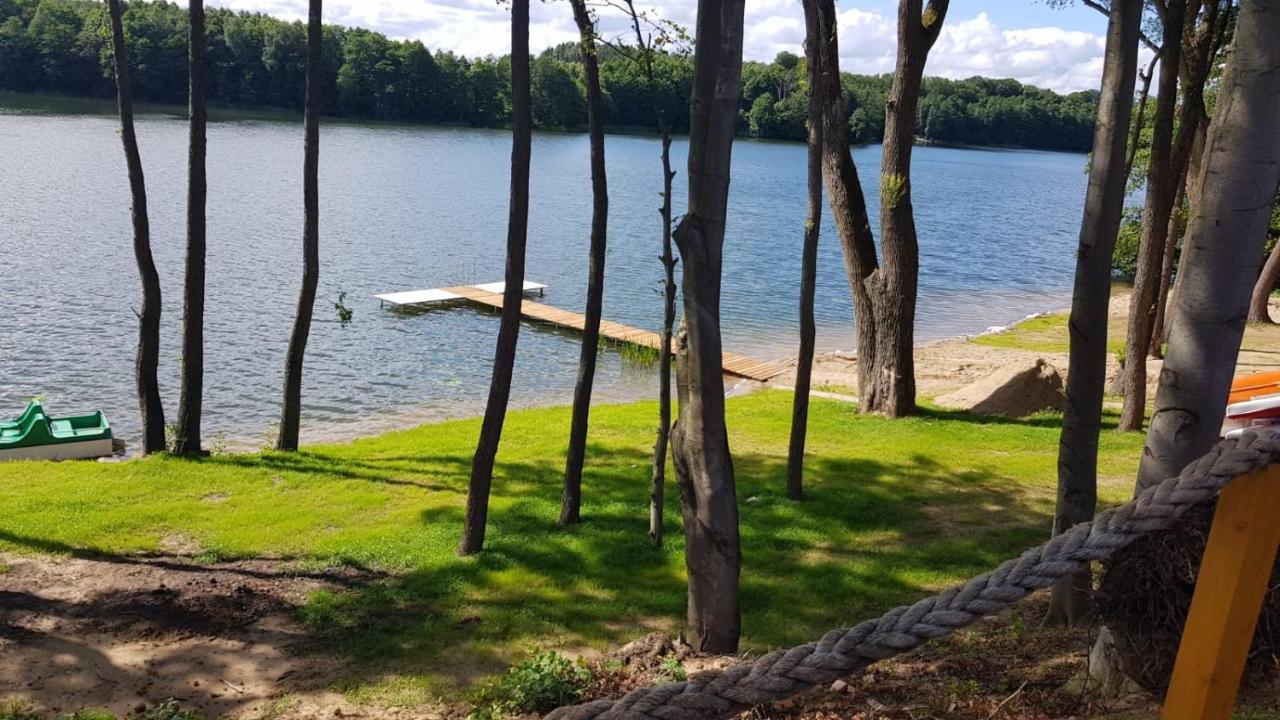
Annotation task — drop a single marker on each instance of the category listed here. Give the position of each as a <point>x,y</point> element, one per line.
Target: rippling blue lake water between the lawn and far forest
<point>406,208</point>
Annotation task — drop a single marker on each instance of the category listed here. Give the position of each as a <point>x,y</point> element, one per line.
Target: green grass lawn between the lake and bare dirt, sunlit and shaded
<point>895,511</point>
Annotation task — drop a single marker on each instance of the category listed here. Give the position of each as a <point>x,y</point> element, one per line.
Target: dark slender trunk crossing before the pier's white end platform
<point>509,329</point>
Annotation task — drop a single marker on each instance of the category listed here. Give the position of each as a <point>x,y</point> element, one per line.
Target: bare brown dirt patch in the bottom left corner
<point>126,635</point>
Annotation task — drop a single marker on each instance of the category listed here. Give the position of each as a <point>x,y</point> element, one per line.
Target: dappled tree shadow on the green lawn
<point>870,535</point>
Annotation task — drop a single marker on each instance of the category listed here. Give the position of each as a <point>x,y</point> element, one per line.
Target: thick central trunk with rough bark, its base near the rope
<point>705,467</point>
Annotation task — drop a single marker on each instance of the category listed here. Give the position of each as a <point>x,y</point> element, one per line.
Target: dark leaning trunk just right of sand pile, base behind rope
<point>1104,207</point>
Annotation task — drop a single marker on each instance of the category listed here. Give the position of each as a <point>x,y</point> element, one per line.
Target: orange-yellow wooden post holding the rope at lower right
<point>1229,593</point>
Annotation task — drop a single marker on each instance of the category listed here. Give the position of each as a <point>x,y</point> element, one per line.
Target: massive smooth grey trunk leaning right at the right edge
<point>1237,190</point>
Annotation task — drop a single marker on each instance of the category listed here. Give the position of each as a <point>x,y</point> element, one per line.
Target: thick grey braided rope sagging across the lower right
<point>723,694</point>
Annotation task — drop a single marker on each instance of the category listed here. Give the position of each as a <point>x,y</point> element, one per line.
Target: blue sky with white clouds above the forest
<point>1059,49</point>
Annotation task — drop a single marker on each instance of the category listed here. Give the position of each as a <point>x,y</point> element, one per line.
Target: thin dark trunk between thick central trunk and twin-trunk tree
<point>808,279</point>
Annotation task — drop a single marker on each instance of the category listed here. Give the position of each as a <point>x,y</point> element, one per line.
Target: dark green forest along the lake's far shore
<point>258,62</point>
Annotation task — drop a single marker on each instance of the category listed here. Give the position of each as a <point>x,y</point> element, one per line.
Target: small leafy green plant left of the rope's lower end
<point>540,685</point>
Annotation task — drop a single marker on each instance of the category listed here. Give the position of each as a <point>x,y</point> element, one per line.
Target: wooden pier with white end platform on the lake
<point>491,295</point>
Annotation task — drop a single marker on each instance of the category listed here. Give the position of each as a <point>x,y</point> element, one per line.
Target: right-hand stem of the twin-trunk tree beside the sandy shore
<point>895,286</point>
